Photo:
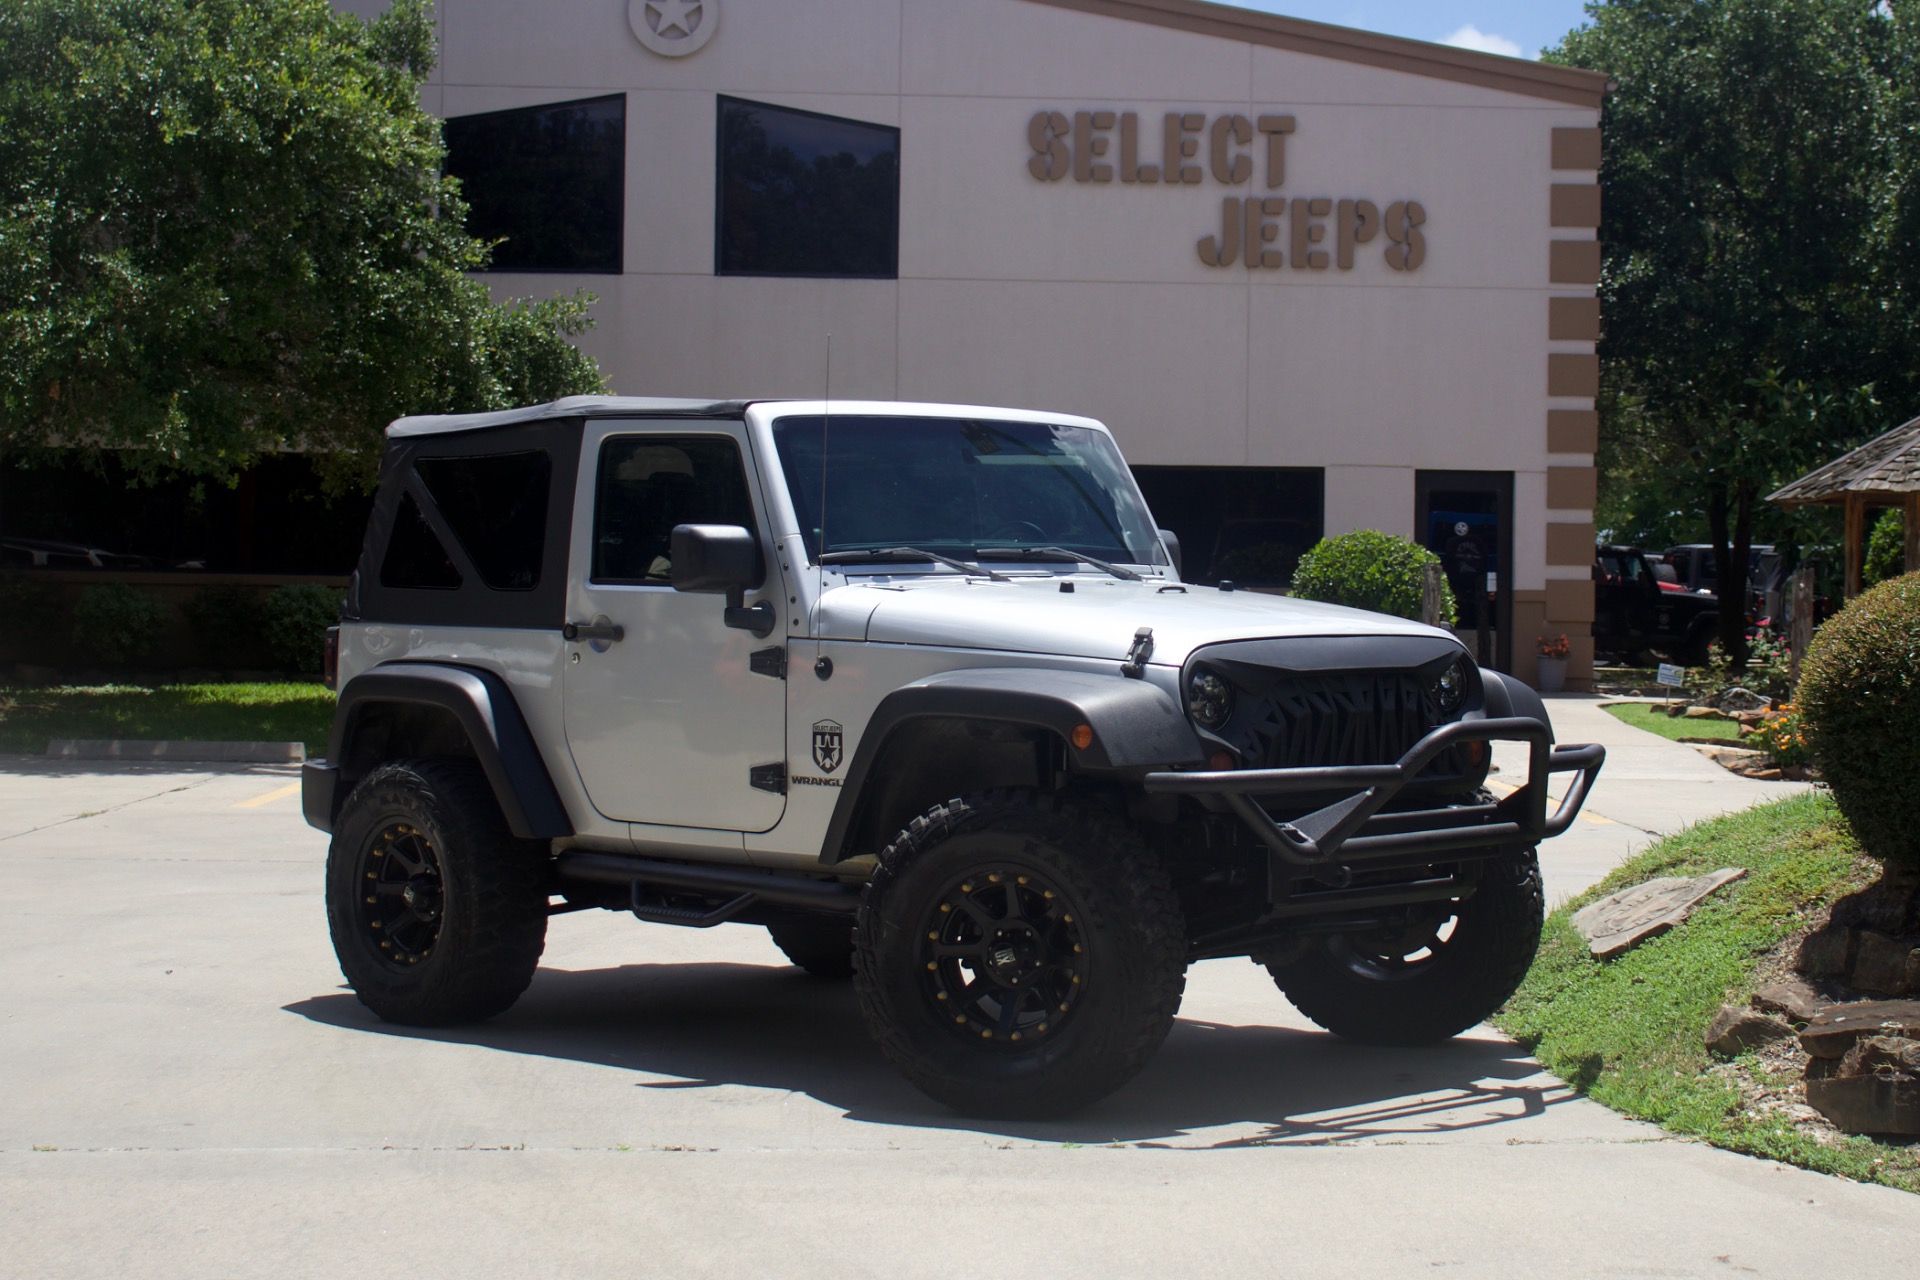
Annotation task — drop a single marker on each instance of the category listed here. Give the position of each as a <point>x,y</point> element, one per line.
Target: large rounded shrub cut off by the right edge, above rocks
<point>1861,703</point>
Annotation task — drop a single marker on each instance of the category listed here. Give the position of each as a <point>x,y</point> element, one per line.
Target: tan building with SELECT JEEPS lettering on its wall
<point>1314,279</point>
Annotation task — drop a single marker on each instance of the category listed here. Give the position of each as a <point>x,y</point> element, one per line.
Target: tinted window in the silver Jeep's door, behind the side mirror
<point>646,486</point>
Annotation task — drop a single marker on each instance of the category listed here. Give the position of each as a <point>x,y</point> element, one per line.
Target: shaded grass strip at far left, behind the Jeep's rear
<point>287,713</point>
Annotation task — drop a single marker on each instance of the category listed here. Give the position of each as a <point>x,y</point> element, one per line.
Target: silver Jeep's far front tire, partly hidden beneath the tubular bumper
<point>1433,976</point>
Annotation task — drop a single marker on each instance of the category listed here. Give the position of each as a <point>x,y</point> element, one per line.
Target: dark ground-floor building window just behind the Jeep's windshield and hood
<point>1247,525</point>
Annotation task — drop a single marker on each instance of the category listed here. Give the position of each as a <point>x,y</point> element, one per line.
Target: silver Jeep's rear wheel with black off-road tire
<point>439,914</point>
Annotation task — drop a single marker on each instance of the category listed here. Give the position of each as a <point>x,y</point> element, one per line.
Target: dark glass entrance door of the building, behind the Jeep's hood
<point>1468,521</point>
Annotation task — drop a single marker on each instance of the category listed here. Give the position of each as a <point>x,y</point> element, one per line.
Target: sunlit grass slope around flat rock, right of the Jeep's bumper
<point>1629,1031</point>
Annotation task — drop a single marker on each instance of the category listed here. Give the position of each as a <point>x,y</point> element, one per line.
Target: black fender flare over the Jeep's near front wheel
<point>1136,726</point>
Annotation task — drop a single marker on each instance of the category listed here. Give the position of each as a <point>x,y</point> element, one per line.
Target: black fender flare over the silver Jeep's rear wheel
<point>487,711</point>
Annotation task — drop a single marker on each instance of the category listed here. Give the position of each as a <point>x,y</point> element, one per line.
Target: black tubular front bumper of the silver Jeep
<point>1355,830</point>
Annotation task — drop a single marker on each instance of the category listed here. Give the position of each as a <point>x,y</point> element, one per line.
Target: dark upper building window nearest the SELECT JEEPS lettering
<point>804,195</point>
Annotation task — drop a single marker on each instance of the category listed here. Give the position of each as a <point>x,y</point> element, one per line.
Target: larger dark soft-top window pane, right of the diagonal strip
<point>496,506</point>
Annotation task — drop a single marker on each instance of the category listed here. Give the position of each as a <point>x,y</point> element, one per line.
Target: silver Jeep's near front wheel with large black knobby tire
<point>1017,957</point>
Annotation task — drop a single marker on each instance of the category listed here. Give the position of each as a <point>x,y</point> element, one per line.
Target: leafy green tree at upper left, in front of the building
<point>226,233</point>
